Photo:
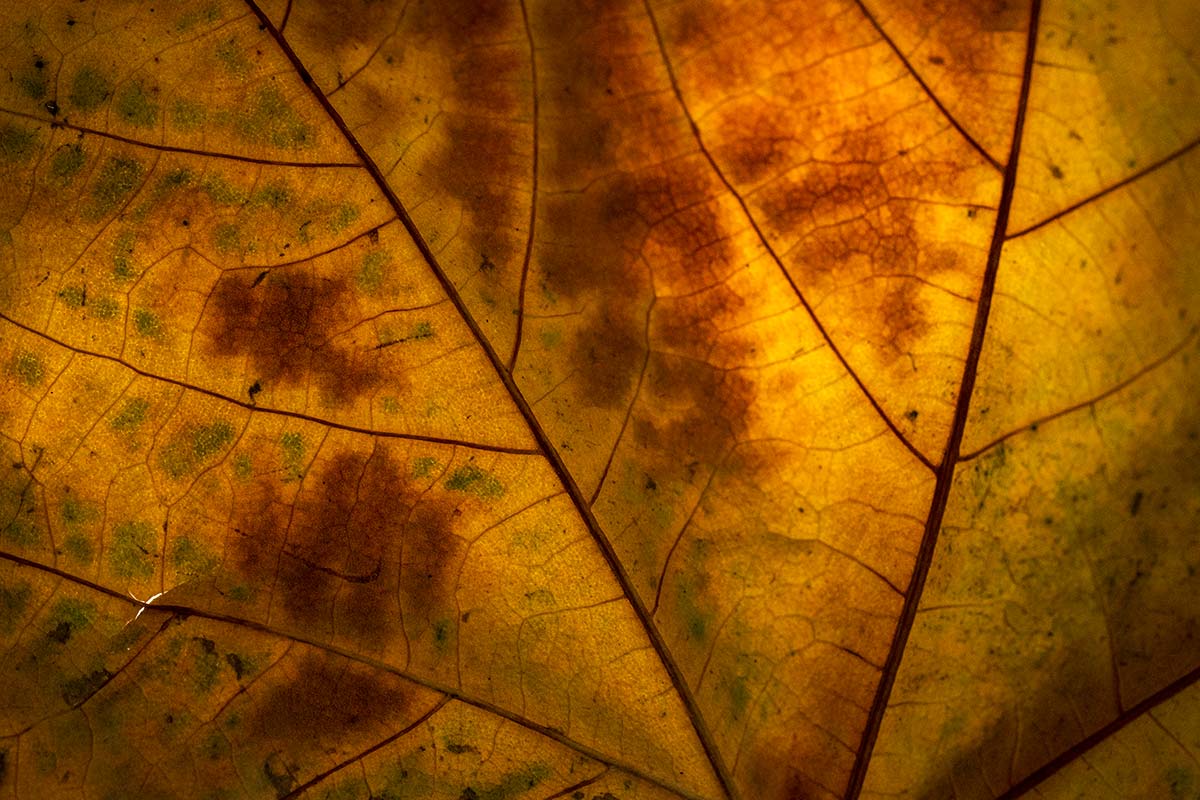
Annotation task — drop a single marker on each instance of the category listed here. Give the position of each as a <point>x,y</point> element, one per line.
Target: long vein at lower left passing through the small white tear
<point>184,612</point>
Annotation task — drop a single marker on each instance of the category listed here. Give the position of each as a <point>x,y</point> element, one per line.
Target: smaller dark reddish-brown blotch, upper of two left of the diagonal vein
<point>285,326</point>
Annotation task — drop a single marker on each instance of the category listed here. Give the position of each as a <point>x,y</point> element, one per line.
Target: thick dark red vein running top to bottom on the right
<point>951,459</point>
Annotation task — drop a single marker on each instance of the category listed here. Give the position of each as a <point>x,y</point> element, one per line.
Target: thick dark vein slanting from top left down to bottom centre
<point>548,450</point>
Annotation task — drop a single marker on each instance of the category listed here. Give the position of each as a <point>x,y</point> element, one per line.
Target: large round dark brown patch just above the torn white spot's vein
<point>359,551</point>
